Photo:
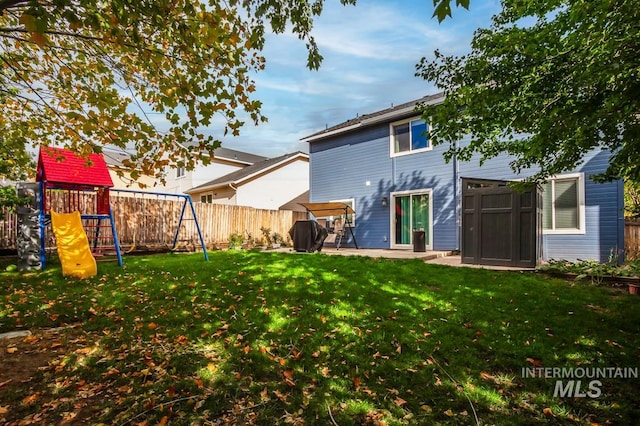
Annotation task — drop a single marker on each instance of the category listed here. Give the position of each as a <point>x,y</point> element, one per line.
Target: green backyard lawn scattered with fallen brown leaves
<point>284,338</point>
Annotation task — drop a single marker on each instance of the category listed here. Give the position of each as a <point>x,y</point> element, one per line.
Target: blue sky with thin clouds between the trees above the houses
<point>370,52</point>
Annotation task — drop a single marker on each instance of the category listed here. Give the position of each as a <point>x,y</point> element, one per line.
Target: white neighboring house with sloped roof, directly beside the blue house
<point>268,184</point>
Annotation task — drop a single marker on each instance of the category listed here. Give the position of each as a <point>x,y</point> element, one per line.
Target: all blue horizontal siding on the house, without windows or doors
<point>356,164</point>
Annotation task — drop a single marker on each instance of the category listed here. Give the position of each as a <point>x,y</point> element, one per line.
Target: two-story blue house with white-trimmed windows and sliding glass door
<point>385,167</point>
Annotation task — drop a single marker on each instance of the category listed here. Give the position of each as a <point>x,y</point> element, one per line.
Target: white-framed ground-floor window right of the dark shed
<point>563,205</point>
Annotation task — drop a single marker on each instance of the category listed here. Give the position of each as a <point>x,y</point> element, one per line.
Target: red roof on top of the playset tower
<point>57,165</point>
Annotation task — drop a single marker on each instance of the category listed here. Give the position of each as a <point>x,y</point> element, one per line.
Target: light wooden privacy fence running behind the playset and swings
<point>150,221</point>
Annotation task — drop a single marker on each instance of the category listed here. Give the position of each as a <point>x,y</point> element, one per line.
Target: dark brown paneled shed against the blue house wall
<point>500,226</point>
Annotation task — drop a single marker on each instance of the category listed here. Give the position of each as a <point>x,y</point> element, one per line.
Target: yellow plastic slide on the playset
<point>73,245</point>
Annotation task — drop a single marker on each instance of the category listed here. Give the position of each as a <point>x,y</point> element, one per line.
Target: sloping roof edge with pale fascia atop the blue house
<point>394,113</point>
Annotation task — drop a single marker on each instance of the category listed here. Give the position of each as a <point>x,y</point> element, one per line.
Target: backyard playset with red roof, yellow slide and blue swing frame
<point>72,198</point>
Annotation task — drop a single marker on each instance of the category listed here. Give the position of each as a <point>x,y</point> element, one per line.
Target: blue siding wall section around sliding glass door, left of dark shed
<point>359,166</point>
